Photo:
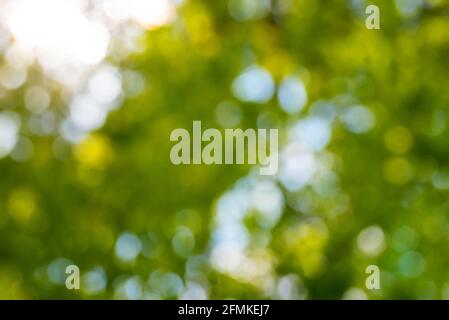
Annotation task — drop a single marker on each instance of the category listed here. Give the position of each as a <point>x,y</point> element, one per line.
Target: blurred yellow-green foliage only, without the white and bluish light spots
<point>75,202</point>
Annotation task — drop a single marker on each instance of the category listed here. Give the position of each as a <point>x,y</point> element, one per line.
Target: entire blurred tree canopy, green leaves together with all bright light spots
<point>86,178</point>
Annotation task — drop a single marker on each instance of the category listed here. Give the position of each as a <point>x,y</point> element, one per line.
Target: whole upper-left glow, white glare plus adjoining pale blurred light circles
<point>69,40</point>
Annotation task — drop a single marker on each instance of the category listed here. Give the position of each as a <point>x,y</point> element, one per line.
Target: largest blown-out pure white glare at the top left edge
<point>58,31</point>
